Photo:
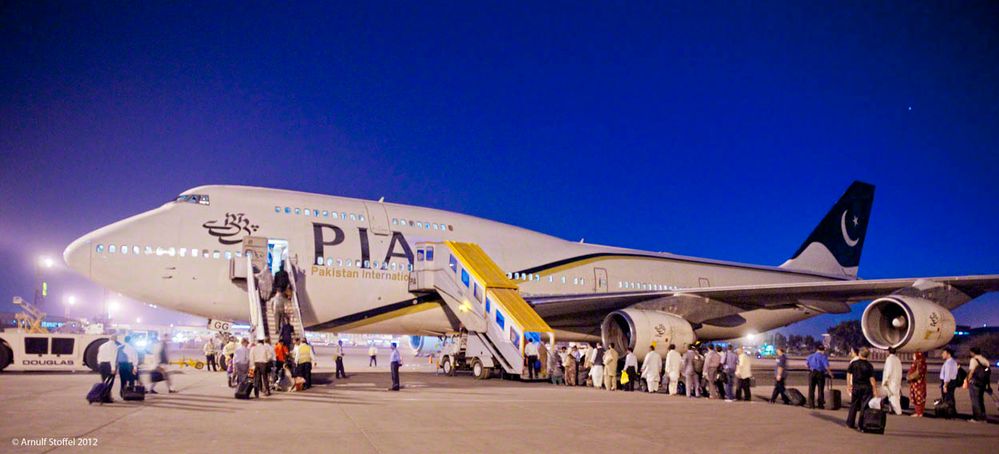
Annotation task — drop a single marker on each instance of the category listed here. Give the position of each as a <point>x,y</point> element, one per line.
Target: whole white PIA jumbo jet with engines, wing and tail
<point>354,259</point>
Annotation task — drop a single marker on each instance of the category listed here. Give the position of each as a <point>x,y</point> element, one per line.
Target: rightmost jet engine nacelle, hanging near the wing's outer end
<point>907,323</point>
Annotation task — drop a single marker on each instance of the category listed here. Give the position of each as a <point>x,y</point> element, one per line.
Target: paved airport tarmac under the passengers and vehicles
<point>435,413</point>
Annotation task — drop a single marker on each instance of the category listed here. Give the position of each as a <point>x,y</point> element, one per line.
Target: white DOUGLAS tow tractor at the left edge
<point>20,351</point>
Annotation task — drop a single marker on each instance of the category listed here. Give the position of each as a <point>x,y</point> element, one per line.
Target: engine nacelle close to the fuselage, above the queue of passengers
<point>638,329</point>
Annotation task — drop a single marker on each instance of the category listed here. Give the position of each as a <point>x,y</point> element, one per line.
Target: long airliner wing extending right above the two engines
<point>716,303</point>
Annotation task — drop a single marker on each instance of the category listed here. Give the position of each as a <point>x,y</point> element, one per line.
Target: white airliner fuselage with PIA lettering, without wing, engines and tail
<point>351,238</point>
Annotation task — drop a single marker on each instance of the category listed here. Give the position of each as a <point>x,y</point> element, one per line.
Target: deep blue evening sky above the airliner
<point>715,129</point>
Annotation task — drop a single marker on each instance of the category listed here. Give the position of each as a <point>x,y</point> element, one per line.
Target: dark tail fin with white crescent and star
<point>835,244</point>
